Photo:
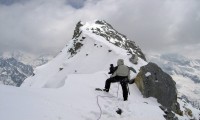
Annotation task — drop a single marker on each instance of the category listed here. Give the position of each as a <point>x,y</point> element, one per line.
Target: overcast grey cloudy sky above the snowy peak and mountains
<point>45,26</point>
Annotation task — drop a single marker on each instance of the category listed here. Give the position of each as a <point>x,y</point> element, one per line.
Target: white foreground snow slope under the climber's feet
<point>76,100</point>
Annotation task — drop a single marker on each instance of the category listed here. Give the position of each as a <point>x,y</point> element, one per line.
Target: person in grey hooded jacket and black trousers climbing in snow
<point>121,74</point>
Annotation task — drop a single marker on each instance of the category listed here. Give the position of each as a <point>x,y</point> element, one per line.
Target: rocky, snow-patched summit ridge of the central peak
<point>104,30</point>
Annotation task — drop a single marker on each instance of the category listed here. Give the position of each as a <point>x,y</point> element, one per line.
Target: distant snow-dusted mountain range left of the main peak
<point>16,66</point>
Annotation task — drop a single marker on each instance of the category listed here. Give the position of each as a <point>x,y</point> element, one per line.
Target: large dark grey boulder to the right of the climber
<point>153,82</point>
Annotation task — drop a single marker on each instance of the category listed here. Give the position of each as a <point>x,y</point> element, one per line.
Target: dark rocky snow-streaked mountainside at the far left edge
<point>13,72</point>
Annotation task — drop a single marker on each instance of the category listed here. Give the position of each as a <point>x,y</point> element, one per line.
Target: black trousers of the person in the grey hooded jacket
<point>123,84</point>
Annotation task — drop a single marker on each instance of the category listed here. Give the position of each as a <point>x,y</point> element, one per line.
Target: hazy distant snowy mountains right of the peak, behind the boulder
<point>176,64</point>
